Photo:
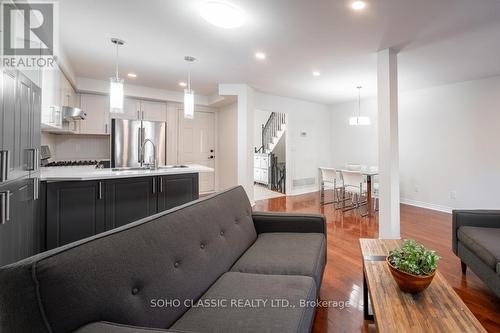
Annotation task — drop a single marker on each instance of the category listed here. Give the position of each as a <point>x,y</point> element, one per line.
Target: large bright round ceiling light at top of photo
<point>222,14</point>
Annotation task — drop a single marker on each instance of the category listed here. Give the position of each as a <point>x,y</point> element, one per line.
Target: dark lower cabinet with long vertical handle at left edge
<point>20,231</point>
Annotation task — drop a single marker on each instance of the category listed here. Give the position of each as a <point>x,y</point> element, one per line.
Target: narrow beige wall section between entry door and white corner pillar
<point>226,153</point>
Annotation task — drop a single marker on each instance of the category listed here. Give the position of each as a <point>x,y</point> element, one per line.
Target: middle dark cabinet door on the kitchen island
<point>129,199</point>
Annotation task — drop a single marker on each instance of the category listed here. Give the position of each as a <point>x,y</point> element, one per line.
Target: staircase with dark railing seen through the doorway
<point>272,132</point>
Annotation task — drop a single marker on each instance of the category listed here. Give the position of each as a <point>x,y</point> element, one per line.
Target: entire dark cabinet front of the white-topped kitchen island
<point>74,210</point>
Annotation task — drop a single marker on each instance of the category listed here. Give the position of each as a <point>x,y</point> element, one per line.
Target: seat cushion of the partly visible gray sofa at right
<point>484,242</point>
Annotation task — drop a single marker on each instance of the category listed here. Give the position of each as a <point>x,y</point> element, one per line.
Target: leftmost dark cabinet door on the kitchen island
<point>74,210</point>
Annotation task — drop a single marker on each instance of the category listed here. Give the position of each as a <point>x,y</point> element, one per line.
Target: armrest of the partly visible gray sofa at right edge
<point>473,218</point>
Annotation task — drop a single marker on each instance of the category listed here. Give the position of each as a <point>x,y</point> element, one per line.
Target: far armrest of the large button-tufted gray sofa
<point>283,222</point>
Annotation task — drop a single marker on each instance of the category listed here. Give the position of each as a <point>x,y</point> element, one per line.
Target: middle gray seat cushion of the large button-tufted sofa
<point>245,310</point>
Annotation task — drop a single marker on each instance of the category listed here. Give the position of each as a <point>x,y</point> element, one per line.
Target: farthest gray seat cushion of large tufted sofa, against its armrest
<point>285,254</point>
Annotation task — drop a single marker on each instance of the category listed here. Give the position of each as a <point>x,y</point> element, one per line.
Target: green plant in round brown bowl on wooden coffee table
<point>412,266</point>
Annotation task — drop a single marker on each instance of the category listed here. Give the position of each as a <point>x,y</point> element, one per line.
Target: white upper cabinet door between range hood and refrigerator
<point>97,109</point>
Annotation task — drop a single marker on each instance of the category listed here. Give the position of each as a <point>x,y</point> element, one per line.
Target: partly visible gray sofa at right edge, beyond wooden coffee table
<point>476,240</point>
